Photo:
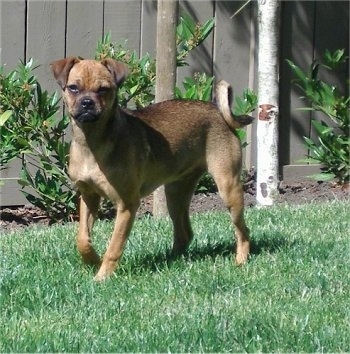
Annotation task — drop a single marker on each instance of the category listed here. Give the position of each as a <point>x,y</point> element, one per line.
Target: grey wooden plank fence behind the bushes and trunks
<point>52,29</point>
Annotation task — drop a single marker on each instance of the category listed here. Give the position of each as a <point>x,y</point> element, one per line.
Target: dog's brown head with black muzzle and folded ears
<point>89,86</point>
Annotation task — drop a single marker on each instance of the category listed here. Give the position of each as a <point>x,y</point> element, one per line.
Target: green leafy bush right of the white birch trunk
<point>332,147</point>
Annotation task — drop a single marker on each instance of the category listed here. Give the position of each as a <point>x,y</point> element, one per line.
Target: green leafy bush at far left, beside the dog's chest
<point>30,127</point>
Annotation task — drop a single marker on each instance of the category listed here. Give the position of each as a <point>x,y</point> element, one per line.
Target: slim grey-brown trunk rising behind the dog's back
<point>165,73</point>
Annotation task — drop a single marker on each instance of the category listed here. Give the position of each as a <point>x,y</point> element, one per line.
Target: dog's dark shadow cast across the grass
<point>155,262</point>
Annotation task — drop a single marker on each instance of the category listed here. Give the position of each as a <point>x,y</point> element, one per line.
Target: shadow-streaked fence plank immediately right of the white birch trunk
<point>297,41</point>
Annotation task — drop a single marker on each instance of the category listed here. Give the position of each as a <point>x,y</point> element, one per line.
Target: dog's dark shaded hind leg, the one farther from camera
<point>178,196</point>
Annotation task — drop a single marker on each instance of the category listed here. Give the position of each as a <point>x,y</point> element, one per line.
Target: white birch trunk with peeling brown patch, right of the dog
<point>268,92</point>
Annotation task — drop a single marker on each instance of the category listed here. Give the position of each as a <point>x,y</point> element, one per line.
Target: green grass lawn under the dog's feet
<point>292,296</point>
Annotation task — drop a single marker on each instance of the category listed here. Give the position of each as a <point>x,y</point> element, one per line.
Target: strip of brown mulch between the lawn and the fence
<point>298,192</point>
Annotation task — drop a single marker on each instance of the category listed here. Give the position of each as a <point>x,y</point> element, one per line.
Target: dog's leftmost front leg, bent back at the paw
<point>89,204</point>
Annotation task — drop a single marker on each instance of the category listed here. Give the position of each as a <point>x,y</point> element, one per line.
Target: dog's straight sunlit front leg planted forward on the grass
<point>123,225</point>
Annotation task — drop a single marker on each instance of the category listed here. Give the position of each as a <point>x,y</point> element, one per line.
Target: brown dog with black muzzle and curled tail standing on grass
<point>124,155</point>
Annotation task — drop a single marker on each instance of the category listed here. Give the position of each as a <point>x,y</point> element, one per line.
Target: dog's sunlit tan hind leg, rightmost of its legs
<point>231,191</point>
